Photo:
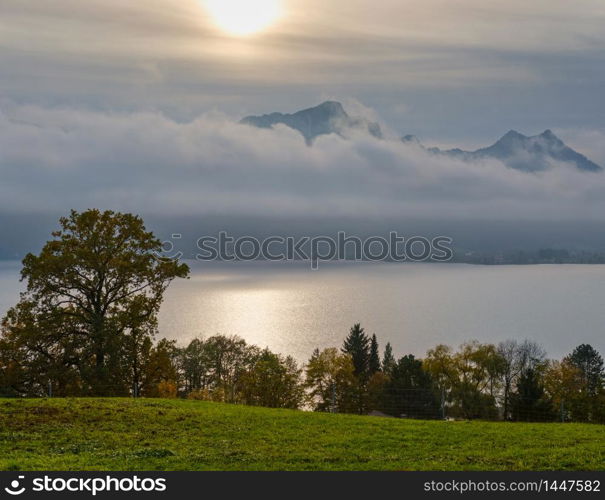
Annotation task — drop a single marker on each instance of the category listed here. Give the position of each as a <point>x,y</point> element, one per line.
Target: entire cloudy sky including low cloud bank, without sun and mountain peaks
<point>134,106</point>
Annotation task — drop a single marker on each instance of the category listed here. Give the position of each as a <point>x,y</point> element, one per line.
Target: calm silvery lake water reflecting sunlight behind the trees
<point>292,309</point>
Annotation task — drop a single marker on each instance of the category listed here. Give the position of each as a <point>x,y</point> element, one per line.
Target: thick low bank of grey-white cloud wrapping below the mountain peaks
<point>56,159</point>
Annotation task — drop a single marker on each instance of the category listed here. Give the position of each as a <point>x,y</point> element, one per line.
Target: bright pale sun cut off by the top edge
<point>243,17</point>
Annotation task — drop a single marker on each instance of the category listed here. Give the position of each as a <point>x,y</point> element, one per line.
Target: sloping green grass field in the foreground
<point>125,434</point>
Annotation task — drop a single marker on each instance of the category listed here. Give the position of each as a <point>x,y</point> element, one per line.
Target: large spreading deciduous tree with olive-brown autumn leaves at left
<point>91,303</point>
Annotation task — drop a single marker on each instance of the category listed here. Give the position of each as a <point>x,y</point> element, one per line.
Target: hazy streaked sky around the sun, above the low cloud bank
<point>452,72</point>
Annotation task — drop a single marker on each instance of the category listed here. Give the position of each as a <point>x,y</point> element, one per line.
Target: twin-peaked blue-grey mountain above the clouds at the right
<point>530,154</point>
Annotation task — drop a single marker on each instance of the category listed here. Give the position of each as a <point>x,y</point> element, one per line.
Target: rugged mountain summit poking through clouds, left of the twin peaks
<point>327,118</point>
